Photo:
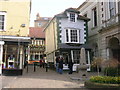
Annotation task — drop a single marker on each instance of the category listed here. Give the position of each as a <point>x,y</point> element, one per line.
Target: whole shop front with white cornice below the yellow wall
<point>14,55</point>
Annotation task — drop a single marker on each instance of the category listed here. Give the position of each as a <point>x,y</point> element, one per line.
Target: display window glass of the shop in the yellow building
<point>11,58</point>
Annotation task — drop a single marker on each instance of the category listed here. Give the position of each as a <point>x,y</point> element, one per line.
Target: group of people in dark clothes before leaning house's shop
<point>59,65</point>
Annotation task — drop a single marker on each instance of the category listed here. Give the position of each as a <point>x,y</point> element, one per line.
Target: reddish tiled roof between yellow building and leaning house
<point>36,32</point>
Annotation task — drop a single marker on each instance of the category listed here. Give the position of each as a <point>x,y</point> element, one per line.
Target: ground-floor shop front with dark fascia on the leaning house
<point>70,52</point>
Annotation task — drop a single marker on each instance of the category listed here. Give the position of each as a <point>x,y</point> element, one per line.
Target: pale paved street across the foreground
<point>42,79</point>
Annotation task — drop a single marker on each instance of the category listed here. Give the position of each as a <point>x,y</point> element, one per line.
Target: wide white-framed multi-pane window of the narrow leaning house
<point>72,36</point>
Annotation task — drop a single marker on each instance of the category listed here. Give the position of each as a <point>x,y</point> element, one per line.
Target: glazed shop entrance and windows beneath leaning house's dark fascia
<point>74,55</point>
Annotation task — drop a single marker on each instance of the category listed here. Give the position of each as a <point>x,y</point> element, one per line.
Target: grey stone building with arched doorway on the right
<point>104,27</point>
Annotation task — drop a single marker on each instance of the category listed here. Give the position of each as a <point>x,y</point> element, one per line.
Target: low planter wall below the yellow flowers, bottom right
<point>90,85</point>
